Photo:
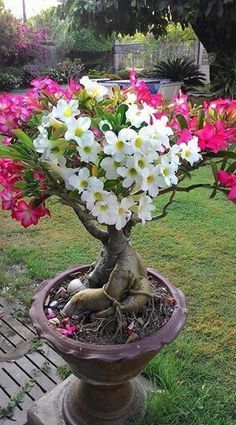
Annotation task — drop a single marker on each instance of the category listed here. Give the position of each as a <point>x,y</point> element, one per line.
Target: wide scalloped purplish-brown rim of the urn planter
<point>106,352</point>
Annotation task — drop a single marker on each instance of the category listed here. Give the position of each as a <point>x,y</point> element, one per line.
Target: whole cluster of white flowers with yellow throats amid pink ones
<point>140,156</point>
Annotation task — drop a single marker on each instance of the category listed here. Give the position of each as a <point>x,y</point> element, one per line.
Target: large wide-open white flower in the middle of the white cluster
<point>118,146</point>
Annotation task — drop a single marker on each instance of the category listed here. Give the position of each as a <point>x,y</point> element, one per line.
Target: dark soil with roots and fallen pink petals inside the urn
<point>120,327</point>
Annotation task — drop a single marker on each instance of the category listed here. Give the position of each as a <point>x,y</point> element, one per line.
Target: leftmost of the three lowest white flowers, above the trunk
<point>106,210</point>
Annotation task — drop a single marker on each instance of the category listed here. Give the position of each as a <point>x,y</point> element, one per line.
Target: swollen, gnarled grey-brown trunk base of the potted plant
<point>118,280</point>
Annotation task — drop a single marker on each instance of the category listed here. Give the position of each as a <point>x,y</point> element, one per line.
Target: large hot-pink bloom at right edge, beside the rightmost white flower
<point>215,137</point>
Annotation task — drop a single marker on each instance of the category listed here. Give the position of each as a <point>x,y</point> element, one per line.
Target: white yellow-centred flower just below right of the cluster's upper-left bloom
<point>78,129</point>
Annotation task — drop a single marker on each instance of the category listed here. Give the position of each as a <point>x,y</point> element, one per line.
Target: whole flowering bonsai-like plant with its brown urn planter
<point>108,157</point>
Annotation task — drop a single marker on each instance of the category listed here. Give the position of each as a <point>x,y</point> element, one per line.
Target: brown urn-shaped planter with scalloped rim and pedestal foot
<point>103,391</point>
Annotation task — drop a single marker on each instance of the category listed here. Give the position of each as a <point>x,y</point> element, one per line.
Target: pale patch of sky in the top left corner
<point>32,6</point>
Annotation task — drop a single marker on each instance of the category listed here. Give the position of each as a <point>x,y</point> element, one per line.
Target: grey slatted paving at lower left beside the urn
<point>39,365</point>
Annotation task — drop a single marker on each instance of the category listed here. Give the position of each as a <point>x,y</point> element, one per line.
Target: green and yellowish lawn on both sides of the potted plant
<point>195,247</point>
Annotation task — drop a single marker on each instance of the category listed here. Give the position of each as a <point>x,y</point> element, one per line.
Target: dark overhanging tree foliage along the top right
<point>213,21</point>
